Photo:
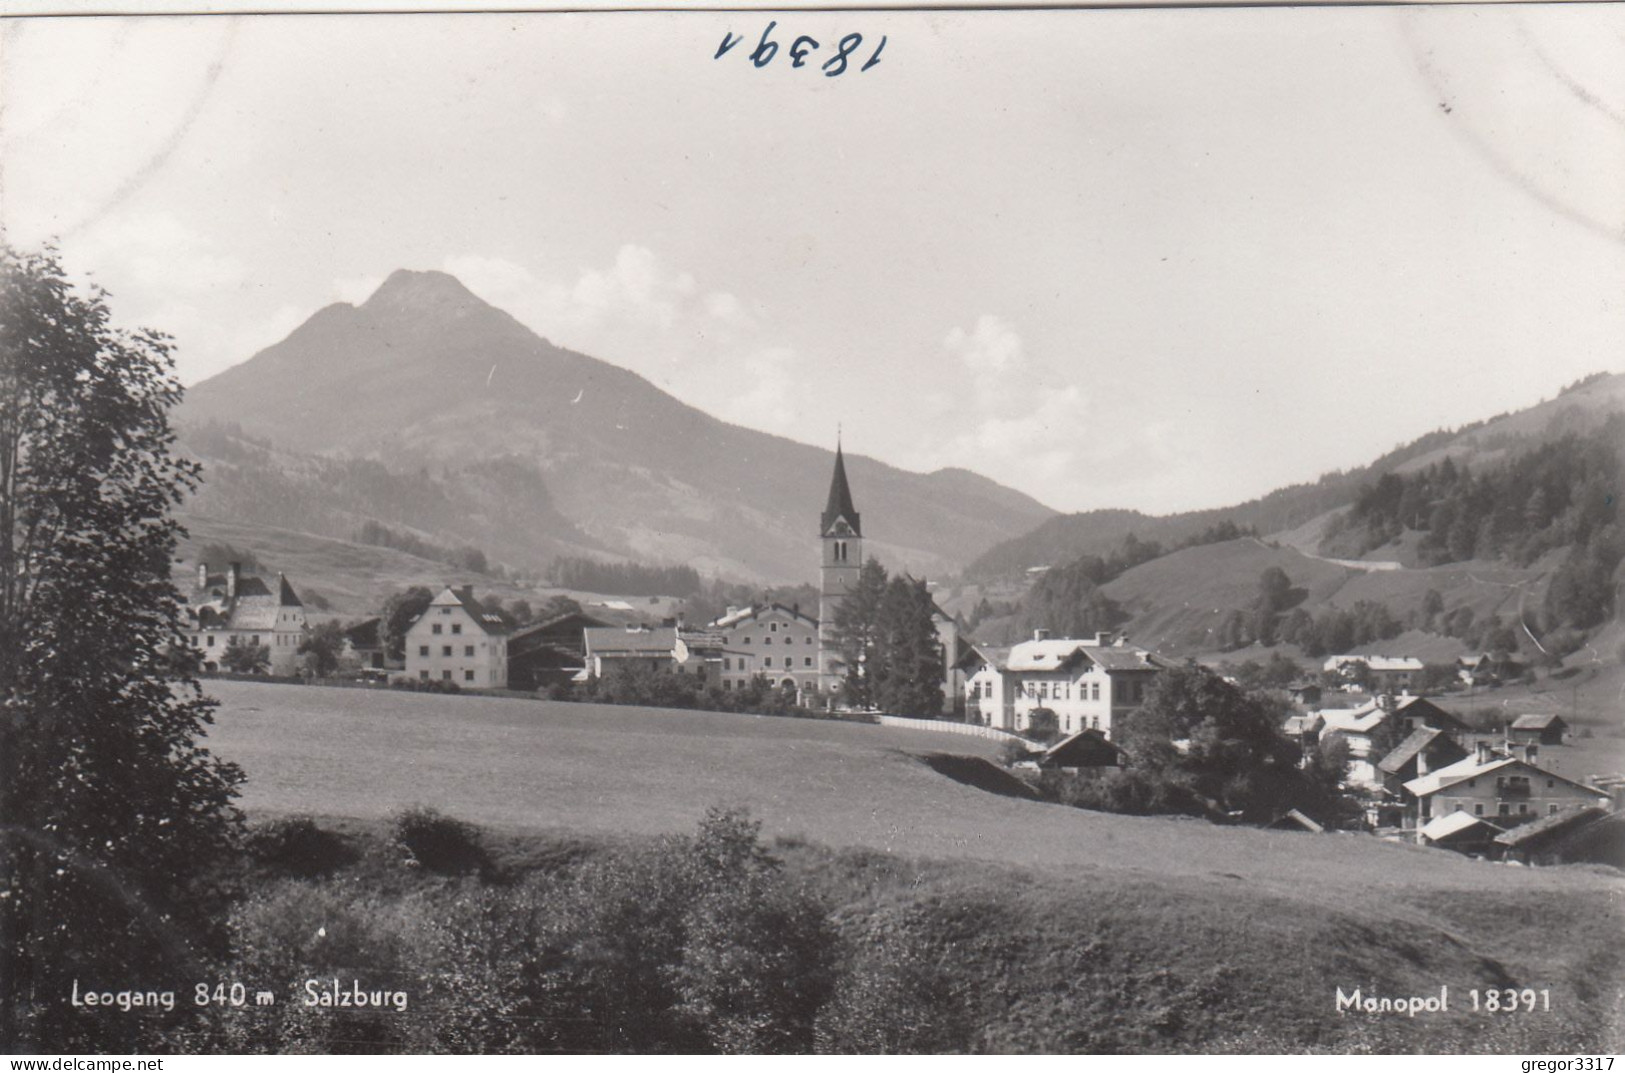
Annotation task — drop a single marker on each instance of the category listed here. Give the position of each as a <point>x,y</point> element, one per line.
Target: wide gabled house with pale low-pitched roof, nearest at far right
<point>1509,788</point>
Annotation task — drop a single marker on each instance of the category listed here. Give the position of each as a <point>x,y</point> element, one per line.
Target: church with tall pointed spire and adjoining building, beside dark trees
<point>792,649</point>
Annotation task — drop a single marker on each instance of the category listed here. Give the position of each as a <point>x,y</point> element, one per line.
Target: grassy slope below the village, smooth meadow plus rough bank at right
<point>964,921</point>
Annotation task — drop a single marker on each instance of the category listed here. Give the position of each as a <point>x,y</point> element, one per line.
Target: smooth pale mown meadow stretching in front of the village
<point>529,765</point>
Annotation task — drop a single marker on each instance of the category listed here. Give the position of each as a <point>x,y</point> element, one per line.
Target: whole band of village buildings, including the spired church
<point>1421,770</point>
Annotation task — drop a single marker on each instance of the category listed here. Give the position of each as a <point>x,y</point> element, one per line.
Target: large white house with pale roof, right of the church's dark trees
<point>1086,684</point>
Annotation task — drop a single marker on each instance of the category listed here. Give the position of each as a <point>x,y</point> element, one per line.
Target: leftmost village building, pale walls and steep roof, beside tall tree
<point>230,607</point>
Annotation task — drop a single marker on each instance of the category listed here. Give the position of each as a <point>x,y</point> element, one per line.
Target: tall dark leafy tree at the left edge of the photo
<point>113,809</point>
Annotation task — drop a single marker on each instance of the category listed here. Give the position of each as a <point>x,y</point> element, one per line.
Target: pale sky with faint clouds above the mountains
<point>1112,259</point>
